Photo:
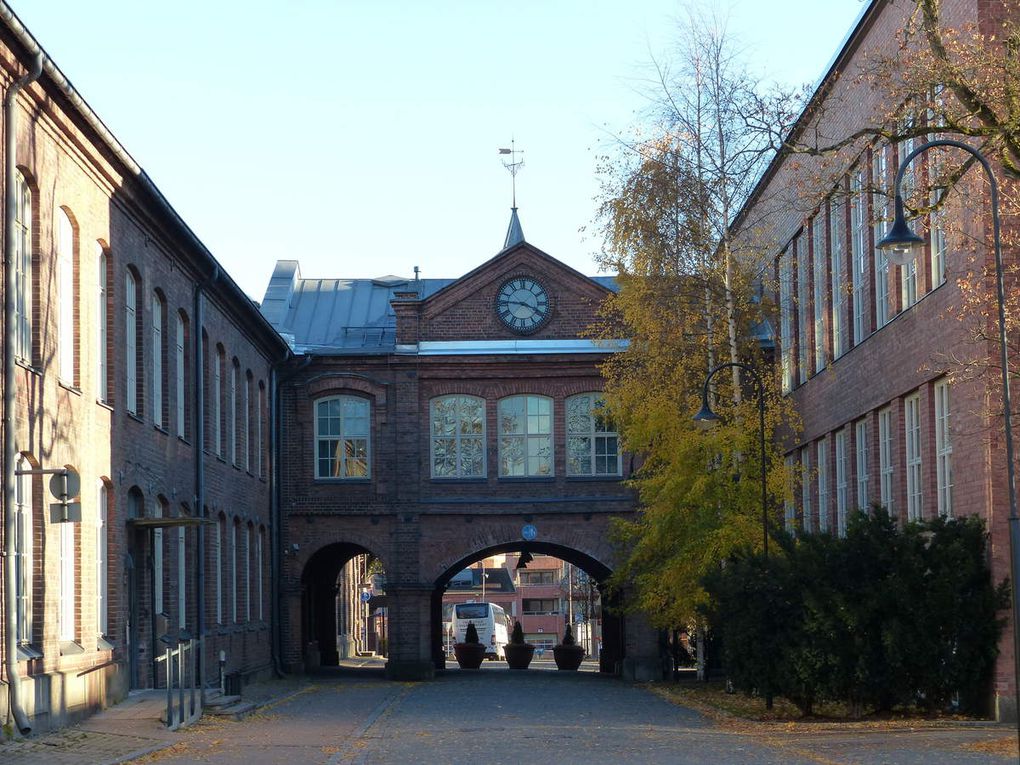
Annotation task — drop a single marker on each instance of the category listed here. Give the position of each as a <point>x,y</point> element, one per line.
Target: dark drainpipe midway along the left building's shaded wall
<point>199,367</point>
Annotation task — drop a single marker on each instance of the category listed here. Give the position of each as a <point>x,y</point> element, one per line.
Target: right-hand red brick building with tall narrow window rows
<point>866,350</point>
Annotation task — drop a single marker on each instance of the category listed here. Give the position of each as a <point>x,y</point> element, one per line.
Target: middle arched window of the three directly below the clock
<point>526,438</point>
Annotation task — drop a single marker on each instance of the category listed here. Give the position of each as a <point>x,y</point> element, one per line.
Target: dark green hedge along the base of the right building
<point>884,618</point>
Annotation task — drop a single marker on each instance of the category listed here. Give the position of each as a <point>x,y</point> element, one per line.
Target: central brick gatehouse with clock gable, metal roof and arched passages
<point>434,423</point>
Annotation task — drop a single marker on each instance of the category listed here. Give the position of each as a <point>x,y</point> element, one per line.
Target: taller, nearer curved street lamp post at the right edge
<point>902,246</point>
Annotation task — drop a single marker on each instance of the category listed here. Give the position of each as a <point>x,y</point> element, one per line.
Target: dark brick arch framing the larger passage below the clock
<point>614,635</point>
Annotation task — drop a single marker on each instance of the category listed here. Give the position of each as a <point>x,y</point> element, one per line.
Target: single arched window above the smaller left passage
<point>342,438</point>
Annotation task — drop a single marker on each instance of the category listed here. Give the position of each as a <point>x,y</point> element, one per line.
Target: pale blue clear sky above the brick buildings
<point>362,137</point>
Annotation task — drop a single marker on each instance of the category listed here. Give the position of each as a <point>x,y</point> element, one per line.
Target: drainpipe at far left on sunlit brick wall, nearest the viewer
<point>10,383</point>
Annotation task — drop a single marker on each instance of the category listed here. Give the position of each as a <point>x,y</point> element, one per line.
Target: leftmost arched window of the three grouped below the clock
<point>458,437</point>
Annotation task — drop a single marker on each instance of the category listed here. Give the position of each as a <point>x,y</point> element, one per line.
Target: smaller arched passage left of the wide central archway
<point>336,622</point>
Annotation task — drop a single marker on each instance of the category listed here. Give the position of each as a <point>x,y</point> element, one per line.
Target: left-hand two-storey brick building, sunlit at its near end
<point>137,363</point>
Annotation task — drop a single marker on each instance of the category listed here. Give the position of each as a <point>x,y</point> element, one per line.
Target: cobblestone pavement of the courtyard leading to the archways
<point>494,717</point>
